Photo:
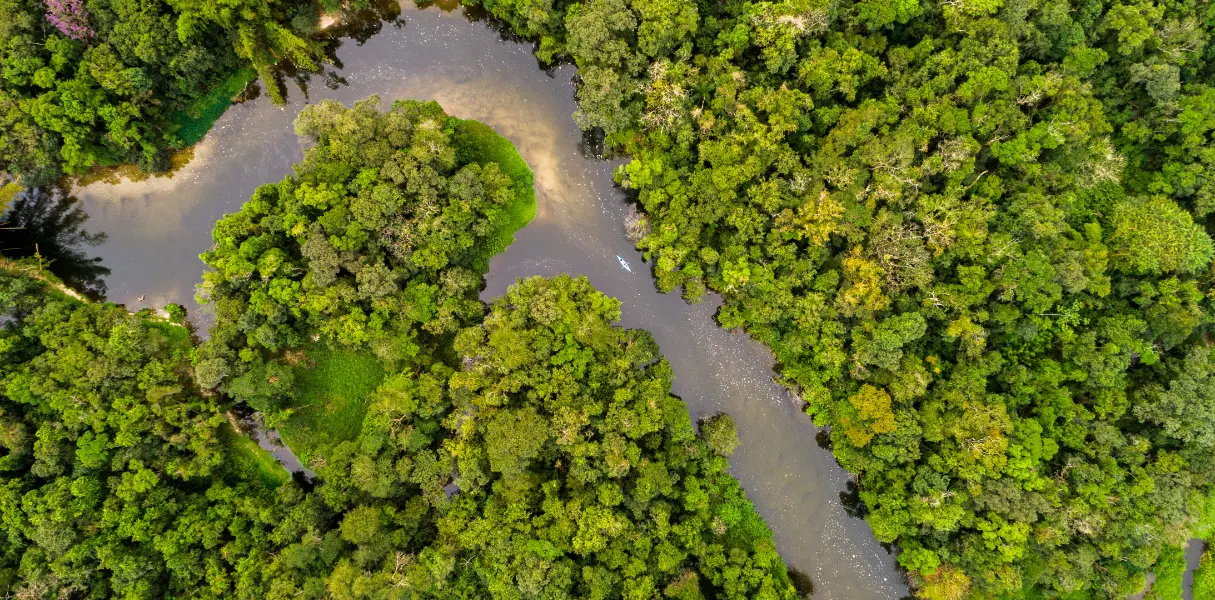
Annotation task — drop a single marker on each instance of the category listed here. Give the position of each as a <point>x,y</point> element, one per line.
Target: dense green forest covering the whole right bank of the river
<point>970,230</point>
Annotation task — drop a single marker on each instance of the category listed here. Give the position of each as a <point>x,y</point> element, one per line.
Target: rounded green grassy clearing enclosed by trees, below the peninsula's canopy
<point>332,390</point>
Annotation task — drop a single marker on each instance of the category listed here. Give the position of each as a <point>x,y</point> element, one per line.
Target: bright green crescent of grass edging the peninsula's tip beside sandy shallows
<point>477,143</point>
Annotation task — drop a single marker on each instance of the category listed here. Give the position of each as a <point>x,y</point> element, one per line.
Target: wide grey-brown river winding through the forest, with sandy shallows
<point>159,228</point>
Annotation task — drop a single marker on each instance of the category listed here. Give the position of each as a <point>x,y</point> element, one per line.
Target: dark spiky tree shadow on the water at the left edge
<point>50,224</point>
